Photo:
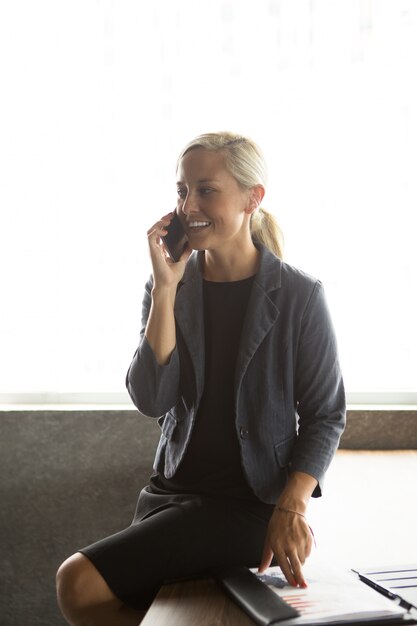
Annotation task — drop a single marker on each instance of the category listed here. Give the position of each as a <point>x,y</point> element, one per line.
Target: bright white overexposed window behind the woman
<point>97,100</point>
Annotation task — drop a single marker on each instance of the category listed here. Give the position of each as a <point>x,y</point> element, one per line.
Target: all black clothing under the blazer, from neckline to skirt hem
<point>205,516</point>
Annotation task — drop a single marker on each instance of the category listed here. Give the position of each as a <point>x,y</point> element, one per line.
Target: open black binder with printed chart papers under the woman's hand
<point>333,597</point>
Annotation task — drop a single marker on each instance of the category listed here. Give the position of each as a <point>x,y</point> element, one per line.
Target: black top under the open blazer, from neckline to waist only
<point>212,463</point>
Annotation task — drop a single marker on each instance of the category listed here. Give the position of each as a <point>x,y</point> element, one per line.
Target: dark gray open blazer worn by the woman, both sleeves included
<point>289,394</point>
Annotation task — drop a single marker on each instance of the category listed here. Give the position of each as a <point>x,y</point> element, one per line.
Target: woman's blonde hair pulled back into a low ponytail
<point>245,162</point>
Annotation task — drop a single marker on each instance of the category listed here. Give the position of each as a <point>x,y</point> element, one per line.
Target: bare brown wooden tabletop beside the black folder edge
<point>194,603</point>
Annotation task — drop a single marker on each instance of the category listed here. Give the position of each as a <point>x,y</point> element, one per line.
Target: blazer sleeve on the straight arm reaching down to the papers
<point>319,390</point>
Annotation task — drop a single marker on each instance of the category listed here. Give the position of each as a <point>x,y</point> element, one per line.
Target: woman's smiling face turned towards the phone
<point>213,207</point>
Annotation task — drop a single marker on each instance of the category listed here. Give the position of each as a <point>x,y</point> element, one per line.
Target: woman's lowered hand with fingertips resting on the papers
<point>290,539</point>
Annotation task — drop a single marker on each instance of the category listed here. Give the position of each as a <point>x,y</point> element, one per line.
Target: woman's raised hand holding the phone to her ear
<point>166,273</point>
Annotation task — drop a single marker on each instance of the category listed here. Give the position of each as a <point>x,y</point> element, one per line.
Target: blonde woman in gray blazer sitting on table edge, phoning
<point>238,356</point>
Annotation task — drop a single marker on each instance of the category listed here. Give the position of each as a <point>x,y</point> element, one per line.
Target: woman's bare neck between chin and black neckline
<point>227,267</point>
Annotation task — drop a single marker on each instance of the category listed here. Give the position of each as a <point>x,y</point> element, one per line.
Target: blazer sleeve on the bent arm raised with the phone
<point>152,387</point>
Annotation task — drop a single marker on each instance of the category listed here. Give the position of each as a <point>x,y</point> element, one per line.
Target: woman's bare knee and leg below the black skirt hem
<point>85,599</point>
